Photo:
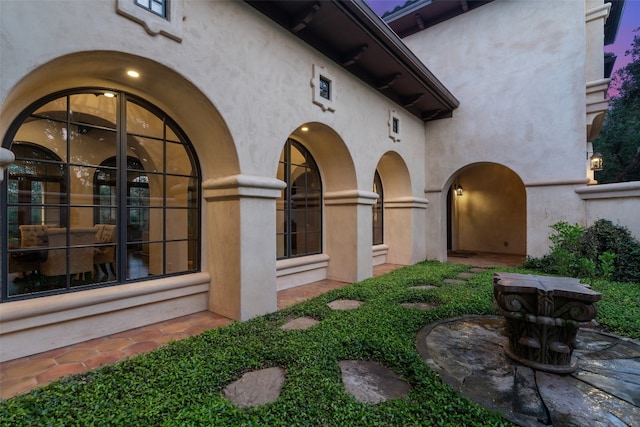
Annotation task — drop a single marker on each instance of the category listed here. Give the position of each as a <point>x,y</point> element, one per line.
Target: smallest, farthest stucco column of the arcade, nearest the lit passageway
<point>405,230</point>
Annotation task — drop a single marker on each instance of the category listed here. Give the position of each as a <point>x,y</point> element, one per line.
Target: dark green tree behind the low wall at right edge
<point>619,139</point>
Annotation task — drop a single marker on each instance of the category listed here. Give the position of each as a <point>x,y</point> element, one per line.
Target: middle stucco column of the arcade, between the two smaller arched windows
<point>348,222</point>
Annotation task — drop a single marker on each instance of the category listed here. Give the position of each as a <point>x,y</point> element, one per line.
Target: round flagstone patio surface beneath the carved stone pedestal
<point>468,353</point>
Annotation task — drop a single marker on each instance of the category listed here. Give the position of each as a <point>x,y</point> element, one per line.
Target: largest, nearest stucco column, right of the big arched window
<point>240,238</point>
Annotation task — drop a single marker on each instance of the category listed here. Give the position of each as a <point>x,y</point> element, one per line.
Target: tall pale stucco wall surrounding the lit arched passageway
<point>518,69</point>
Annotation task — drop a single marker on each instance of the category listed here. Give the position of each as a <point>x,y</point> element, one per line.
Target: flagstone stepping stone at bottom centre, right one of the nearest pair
<point>371,382</point>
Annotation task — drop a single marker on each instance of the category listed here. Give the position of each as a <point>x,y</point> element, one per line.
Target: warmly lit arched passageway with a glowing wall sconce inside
<point>486,210</point>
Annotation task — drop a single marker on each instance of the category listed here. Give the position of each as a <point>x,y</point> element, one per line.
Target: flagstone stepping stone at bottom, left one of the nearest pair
<point>255,388</point>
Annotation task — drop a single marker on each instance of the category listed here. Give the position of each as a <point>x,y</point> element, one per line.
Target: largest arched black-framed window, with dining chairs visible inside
<point>105,179</point>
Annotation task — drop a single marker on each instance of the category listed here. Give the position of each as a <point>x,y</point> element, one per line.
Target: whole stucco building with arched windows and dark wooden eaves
<point>164,157</point>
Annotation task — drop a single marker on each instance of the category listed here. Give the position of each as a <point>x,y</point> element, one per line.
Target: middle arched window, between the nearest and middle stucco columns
<point>299,209</point>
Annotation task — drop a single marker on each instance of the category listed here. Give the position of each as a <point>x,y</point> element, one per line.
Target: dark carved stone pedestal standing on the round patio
<point>543,315</point>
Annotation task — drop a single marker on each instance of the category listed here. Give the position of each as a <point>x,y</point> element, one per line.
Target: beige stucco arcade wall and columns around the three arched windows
<point>238,86</point>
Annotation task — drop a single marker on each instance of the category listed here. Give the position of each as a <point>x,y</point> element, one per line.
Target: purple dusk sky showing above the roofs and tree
<point>629,22</point>
